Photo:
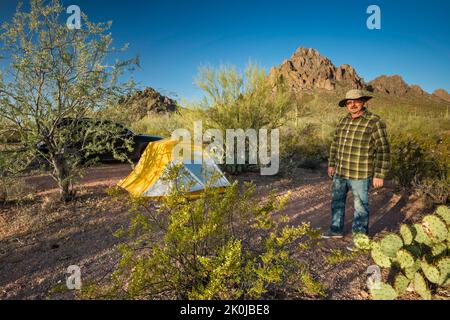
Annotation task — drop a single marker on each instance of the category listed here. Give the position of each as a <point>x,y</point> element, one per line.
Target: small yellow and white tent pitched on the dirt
<point>148,177</point>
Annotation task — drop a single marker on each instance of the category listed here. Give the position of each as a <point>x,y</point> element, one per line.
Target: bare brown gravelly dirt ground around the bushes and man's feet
<point>44,240</point>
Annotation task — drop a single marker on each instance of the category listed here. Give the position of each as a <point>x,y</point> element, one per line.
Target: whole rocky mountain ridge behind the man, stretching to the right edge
<point>309,73</point>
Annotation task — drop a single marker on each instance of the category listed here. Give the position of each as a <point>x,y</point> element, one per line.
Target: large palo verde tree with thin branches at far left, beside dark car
<point>56,77</point>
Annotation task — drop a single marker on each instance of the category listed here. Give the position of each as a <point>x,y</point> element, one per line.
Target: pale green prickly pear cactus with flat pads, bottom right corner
<point>418,258</point>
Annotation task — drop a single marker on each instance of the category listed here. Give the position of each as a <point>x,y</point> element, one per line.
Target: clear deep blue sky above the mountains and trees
<point>174,38</point>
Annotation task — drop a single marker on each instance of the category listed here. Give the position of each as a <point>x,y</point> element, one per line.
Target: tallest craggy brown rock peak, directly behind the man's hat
<point>307,70</point>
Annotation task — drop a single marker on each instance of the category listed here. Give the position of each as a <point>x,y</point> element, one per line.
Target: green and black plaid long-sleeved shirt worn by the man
<point>360,148</point>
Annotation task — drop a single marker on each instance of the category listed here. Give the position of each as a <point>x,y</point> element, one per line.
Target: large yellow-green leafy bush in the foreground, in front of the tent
<point>218,246</point>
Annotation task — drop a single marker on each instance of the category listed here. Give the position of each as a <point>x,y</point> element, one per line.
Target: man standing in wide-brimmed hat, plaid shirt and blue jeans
<point>359,158</point>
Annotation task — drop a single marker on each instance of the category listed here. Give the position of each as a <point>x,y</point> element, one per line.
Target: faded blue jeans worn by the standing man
<point>360,189</point>
